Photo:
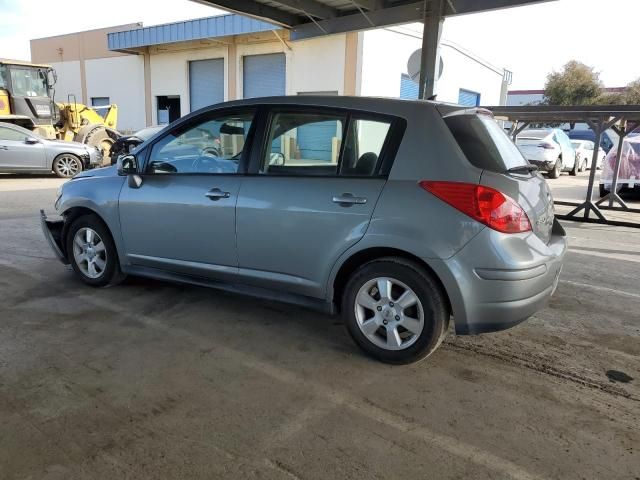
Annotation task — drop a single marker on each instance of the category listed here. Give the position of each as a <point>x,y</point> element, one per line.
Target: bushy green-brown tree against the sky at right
<point>576,84</point>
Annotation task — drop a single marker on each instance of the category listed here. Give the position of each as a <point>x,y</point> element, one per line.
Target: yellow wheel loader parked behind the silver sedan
<point>27,99</point>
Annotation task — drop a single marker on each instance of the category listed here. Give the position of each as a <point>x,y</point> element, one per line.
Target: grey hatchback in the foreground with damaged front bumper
<point>397,214</point>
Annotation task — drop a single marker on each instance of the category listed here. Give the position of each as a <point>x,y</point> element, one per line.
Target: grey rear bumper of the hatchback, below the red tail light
<point>498,281</point>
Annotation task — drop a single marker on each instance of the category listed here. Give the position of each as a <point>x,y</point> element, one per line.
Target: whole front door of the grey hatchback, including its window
<point>182,217</point>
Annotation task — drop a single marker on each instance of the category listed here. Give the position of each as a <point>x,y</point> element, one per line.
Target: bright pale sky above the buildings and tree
<point>530,41</point>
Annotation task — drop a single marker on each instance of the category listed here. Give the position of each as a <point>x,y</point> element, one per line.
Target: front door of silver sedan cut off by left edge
<point>18,153</point>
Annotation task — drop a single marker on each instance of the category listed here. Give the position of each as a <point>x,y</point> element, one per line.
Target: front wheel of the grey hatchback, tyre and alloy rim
<point>92,252</point>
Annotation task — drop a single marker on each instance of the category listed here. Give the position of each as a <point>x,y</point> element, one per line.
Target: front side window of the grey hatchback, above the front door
<point>213,145</point>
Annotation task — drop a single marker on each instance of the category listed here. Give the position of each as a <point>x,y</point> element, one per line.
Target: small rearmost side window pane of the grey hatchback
<point>365,139</point>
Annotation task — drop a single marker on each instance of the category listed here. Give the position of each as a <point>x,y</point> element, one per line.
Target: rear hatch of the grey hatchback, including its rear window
<point>488,147</point>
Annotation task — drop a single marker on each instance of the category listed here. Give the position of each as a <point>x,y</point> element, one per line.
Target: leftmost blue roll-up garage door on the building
<point>206,82</point>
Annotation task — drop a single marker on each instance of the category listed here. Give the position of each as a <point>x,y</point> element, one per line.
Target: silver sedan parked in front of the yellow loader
<point>24,151</point>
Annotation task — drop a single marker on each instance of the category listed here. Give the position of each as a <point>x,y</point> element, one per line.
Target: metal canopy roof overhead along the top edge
<point>313,18</point>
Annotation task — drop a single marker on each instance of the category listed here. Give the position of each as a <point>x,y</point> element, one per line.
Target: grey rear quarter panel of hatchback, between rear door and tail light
<point>408,217</point>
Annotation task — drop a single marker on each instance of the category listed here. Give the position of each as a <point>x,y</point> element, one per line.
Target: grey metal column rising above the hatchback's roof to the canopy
<point>433,20</point>
